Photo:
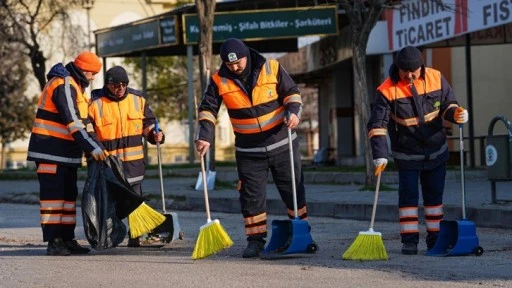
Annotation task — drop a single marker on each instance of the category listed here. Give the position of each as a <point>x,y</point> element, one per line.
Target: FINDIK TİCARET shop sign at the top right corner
<point>420,22</point>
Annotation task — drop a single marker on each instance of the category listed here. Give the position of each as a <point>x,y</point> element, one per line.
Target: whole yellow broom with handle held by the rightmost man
<point>368,244</point>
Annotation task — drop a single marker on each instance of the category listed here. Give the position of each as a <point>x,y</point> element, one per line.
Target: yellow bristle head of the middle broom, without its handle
<point>212,239</point>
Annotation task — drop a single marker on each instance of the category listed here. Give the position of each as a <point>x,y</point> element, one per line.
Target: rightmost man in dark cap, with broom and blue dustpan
<point>410,106</point>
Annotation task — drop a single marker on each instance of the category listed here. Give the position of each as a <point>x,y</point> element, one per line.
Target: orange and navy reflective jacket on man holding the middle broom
<point>257,116</point>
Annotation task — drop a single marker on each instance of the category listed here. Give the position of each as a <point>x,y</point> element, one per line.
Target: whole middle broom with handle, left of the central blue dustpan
<point>212,236</point>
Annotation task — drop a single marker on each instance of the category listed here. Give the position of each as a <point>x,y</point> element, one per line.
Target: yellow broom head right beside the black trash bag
<point>144,219</point>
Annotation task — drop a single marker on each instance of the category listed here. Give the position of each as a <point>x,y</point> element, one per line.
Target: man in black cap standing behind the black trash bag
<point>121,117</point>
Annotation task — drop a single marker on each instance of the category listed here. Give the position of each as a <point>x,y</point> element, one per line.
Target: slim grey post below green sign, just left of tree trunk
<point>191,106</point>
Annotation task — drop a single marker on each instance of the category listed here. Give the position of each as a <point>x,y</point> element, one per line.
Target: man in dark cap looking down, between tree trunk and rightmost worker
<point>263,102</point>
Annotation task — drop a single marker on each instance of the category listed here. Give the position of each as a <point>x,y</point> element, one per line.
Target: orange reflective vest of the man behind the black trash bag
<point>120,126</point>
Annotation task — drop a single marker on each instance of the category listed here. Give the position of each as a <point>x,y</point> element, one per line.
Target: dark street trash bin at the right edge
<point>498,154</point>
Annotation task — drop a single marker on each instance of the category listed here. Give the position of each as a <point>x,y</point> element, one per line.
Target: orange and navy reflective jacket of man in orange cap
<point>59,133</point>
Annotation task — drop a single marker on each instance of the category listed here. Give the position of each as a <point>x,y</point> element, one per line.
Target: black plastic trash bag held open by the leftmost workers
<point>107,198</point>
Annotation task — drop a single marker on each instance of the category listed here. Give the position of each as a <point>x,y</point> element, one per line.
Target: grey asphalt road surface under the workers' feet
<point>23,262</point>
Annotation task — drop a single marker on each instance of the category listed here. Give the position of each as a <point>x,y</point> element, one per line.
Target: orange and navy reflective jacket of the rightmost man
<point>413,117</point>
